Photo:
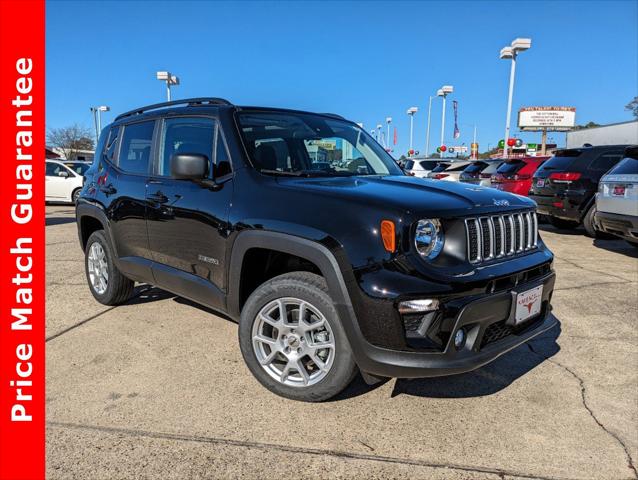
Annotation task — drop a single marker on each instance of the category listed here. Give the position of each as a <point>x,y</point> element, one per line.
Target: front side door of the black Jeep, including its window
<point>187,220</point>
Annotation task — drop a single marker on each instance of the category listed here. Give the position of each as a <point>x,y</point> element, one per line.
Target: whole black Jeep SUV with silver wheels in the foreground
<point>304,230</point>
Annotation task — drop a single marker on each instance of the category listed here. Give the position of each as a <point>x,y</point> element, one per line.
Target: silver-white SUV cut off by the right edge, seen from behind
<point>617,199</point>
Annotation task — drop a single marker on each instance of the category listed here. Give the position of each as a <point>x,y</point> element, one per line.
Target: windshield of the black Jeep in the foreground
<point>312,145</point>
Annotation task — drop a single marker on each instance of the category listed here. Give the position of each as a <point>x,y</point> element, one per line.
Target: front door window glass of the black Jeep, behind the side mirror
<point>185,135</point>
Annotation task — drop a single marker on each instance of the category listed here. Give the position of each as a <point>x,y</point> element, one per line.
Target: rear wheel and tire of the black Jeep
<point>106,282</point>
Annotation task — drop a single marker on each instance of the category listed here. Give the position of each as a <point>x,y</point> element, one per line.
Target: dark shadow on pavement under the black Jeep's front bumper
<point>489,379</point>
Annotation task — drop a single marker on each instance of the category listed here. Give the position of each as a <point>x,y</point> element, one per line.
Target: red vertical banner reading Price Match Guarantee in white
<point>22,240</point>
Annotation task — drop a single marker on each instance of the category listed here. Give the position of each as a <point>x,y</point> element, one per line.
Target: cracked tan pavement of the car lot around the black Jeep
<point>157,388</point>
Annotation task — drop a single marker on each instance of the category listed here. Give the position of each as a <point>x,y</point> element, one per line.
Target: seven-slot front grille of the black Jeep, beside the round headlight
<point>500,236</point>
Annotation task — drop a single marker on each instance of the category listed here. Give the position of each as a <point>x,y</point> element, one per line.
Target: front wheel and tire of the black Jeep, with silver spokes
<point>292,340</point>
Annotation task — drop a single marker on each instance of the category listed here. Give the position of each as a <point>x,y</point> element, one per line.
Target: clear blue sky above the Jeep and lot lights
<point>363,60</point>
